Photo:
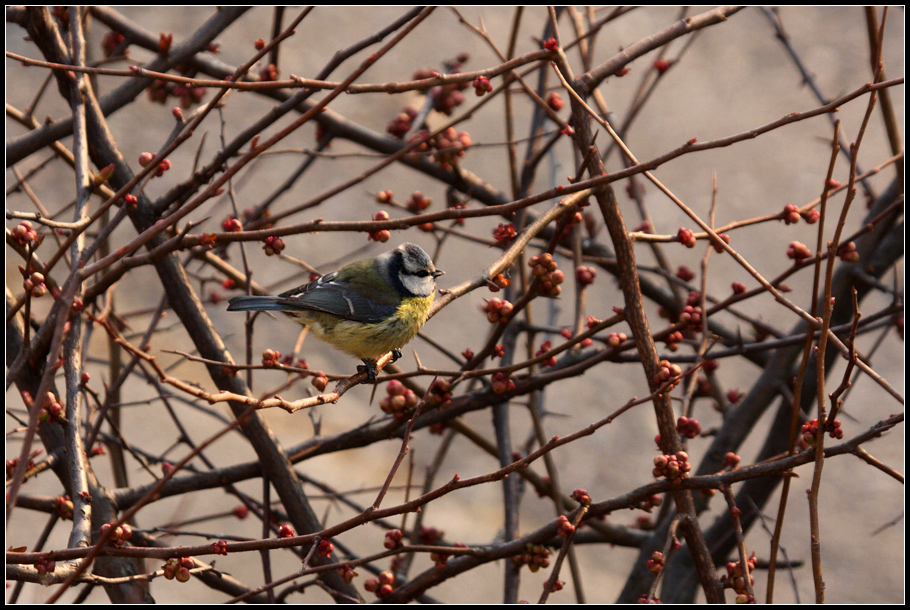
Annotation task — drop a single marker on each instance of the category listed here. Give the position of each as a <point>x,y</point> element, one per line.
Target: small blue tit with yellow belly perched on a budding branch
<point>366,309</point>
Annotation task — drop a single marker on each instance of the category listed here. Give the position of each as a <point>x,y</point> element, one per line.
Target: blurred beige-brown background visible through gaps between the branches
<point>736,76</point>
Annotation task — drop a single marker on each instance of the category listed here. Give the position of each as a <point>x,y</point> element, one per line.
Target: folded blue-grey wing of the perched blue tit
<point>337,297</point>
